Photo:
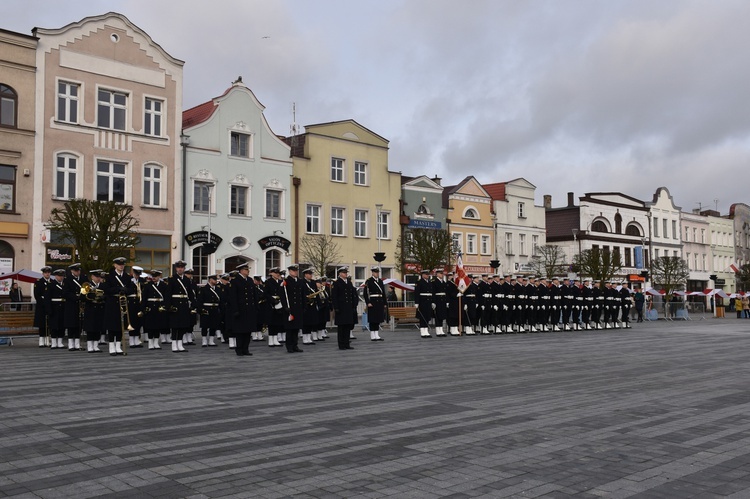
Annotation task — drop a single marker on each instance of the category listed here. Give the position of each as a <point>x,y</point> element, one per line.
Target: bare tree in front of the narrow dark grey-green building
<point>431,248</point>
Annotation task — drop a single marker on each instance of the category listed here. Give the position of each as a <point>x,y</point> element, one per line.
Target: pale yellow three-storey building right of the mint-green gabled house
<point>342,188</point>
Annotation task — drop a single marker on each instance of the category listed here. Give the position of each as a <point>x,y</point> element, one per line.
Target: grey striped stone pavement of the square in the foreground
<point>661,410</point>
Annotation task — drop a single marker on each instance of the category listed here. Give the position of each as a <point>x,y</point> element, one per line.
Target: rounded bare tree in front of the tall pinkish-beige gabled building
<point>100,230</point>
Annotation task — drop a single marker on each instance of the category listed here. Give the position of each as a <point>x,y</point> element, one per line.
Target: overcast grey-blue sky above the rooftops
<point>581,96</point>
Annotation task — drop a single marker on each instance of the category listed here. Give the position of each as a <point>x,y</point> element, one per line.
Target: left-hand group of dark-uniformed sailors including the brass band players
<point>116,308</point>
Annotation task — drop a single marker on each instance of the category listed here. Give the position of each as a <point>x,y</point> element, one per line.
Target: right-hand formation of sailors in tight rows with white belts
<point>516,304</point>
